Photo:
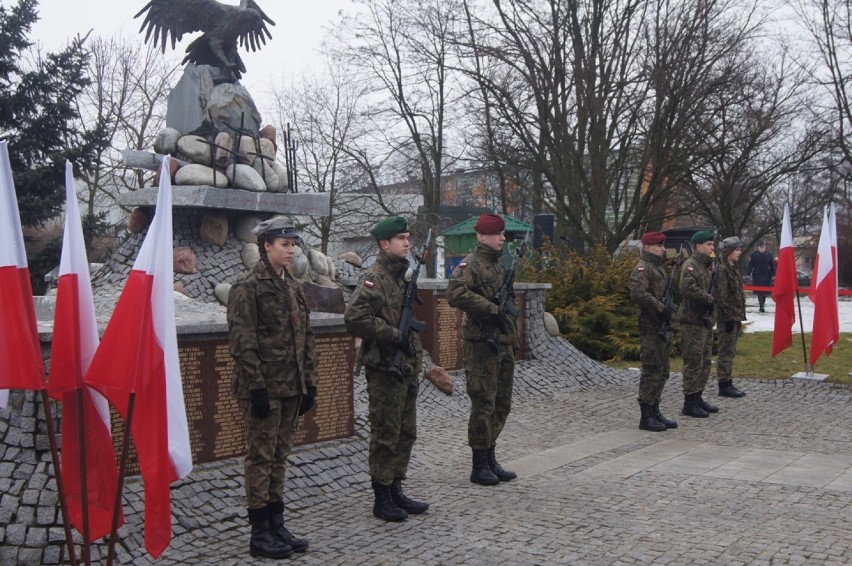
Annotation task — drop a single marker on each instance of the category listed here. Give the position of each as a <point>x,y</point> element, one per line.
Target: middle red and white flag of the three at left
<point>75,339</point>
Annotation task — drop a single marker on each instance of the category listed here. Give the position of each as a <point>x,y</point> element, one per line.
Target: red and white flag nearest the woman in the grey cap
<point>138,354</point>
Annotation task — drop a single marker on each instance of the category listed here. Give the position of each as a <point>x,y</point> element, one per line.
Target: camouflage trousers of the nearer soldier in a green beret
<point>393,424</point>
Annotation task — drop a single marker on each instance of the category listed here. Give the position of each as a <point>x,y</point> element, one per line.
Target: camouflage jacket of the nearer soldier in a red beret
<point>475,281</point>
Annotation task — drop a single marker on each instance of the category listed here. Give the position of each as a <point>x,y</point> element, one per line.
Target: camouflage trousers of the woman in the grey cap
<point>270,442</point>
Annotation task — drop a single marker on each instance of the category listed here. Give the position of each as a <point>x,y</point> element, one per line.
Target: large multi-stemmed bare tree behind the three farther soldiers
<point>595,98</point>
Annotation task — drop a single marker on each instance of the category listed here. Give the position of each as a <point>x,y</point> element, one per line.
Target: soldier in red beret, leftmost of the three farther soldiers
<point>647,287</point>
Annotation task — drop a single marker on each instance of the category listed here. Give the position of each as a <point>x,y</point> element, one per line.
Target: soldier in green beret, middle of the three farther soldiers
<point>696,319</point>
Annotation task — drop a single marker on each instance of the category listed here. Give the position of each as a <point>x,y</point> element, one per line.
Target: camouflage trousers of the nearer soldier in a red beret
<point>489,385</point>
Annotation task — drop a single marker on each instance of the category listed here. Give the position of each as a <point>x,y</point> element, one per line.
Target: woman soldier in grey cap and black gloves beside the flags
<point>272,344</point>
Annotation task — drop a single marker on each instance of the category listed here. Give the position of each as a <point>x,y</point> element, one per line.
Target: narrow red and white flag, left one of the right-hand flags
<point>784,291</point>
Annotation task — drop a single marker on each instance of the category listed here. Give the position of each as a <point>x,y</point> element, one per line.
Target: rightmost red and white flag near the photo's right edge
<point>826,328</point>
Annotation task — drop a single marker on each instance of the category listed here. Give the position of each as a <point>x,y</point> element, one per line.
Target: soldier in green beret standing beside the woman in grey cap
<point>373,314</point>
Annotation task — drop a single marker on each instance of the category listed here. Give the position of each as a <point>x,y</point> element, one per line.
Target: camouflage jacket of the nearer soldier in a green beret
<point>373,314</point>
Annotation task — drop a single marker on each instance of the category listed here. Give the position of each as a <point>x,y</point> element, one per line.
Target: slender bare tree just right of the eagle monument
<point>402,52</point>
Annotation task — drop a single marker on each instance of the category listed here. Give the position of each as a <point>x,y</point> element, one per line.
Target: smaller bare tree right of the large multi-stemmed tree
<point>754,143</point>
